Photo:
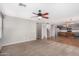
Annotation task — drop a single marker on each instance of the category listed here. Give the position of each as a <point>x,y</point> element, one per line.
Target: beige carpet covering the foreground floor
<point>40,48</point>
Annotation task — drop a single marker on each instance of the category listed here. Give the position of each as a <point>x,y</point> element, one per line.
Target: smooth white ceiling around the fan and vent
<point>57,11</point>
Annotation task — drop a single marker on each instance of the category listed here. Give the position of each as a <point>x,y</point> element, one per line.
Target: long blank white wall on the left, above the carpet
<point>18,30</point>
